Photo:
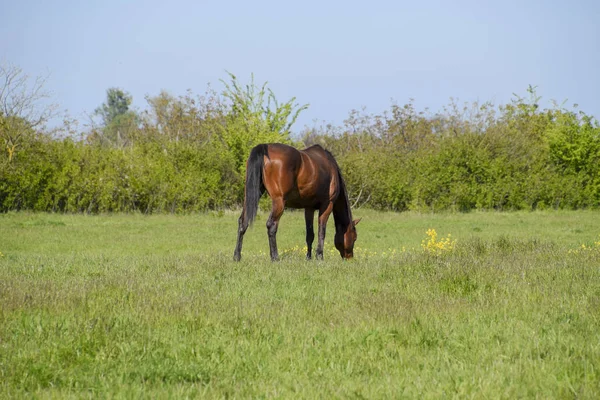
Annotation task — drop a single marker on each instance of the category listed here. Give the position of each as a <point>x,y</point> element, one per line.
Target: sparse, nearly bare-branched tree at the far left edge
<point>22,108</point>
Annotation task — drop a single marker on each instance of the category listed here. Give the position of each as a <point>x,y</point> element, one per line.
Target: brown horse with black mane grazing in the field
<point>309,179</point>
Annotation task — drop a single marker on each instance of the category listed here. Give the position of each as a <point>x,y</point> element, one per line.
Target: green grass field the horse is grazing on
<point>135,306</point>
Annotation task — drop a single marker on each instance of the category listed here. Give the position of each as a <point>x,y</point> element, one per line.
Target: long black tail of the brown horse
<point>254,184</point>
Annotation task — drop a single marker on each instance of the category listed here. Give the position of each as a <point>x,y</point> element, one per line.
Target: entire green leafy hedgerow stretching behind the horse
<point>188,153</point>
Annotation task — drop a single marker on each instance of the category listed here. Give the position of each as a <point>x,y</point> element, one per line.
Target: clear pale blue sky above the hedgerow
<point>334,55</point>
